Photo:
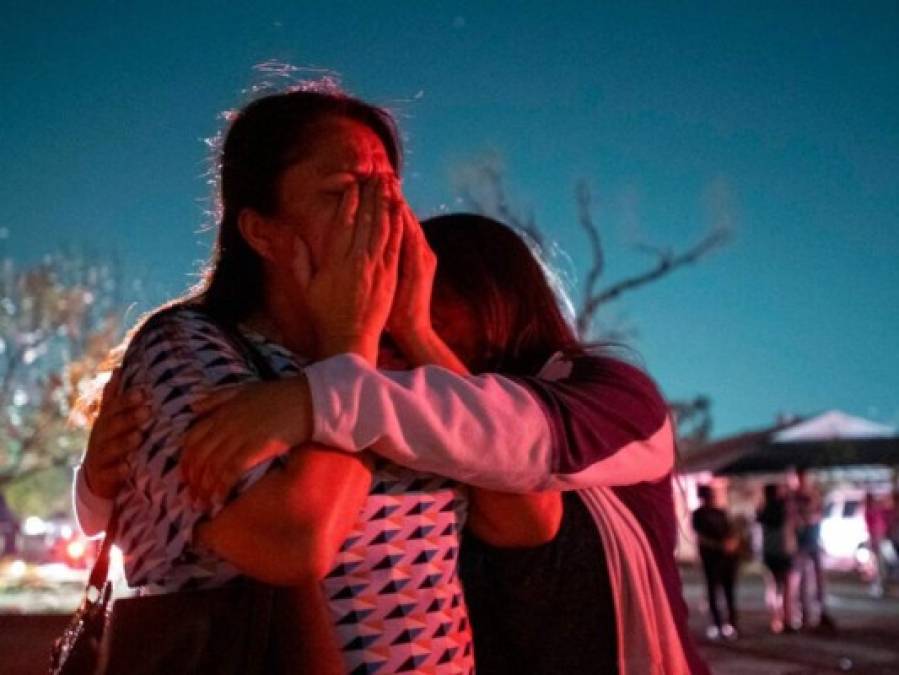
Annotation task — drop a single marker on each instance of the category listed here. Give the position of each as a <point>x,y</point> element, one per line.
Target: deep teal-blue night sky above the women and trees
<point>788,113</point>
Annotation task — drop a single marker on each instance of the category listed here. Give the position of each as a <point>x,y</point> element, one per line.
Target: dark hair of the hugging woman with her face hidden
<point>493,271</point>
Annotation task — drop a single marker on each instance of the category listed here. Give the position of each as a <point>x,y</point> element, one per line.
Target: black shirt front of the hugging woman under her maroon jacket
<point>511,593</point>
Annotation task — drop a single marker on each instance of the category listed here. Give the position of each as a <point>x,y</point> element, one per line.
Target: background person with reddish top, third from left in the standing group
<point>809,511</point>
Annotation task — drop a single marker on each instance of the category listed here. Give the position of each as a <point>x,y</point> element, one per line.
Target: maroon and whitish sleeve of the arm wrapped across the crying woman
<point>601,423</point>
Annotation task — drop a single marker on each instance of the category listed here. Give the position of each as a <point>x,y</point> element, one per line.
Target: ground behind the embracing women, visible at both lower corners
<point>866,642</point>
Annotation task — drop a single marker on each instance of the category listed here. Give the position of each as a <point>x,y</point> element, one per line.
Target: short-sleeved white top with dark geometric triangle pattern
<point>393,593</point>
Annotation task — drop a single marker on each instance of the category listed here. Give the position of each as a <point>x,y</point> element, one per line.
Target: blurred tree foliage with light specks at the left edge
<point>59,318</point>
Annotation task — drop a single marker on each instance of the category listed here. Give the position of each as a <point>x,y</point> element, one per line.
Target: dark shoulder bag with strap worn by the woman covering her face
<point>245,627</point>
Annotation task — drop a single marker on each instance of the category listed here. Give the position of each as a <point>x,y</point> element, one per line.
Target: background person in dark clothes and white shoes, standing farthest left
<point>718,546</point>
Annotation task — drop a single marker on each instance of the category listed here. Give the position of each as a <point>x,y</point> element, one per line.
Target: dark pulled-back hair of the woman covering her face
<point>264,139</point>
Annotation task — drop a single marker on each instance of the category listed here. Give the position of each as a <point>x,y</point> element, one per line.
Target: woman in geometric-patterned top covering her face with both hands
<point>305,267</point>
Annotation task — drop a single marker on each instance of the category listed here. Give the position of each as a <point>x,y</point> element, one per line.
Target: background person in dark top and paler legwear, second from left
<point>778,552</point>
